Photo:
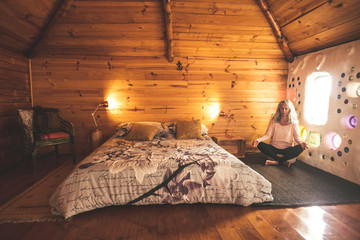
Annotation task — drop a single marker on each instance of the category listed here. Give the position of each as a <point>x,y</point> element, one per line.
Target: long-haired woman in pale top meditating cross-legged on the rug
<point>283,130</point>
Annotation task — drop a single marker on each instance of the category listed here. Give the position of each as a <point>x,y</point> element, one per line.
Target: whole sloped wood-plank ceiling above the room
<point>198,28</point>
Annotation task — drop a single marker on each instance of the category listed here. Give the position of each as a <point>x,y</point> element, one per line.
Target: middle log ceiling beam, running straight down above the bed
<point>169,31</point>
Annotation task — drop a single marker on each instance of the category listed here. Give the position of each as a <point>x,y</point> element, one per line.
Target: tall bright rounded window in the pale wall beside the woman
<point>317,95</point>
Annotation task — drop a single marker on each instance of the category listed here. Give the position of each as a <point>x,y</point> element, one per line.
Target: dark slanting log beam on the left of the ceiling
<point>62,10</point>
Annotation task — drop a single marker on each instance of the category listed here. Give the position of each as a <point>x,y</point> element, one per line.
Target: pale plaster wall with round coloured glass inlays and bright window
<point>325,89</point>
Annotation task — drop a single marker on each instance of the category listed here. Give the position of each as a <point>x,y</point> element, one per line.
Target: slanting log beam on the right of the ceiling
<point>283,42</point>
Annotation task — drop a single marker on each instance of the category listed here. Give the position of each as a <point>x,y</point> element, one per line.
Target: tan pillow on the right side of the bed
<point>188,129</point>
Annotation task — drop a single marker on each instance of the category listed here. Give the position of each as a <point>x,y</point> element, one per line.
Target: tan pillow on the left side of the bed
<point>142,132</point>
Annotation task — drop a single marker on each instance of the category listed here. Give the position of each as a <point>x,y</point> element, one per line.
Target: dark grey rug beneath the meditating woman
<point>303,185</point>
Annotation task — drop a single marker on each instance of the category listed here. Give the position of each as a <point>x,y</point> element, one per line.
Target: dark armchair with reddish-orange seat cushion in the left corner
<point>44,127</point>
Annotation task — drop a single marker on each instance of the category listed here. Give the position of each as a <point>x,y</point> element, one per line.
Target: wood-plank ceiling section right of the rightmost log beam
<point>312,25</point>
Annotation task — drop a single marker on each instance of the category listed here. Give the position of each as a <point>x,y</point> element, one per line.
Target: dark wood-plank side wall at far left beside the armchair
<point>14,94</point>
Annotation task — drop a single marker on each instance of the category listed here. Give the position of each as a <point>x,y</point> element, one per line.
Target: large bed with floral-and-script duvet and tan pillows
<point>166,166</point>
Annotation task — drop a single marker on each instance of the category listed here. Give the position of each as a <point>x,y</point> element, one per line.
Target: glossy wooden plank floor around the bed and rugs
<point>198,221</point>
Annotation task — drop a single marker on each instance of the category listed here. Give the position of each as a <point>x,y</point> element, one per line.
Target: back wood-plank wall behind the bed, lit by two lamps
<point>153,89</point>
